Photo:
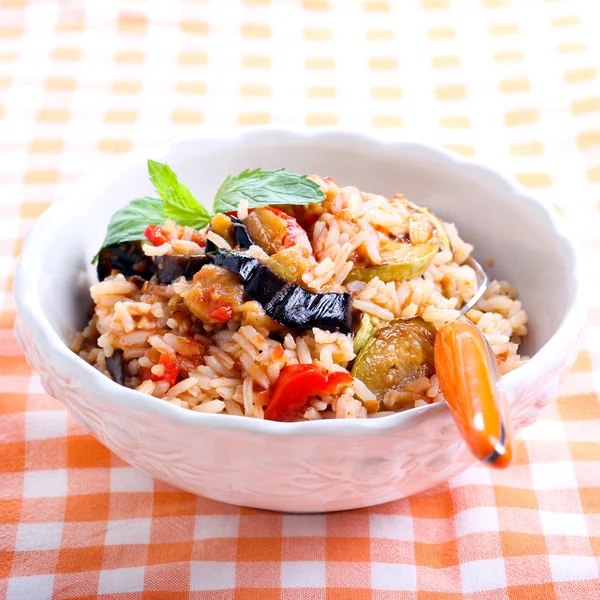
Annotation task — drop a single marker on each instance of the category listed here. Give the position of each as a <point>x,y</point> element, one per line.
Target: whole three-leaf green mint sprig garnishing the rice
<point>176,201</point>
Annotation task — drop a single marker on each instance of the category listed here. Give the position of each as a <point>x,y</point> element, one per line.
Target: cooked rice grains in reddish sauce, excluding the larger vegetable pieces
<point>232,368</point>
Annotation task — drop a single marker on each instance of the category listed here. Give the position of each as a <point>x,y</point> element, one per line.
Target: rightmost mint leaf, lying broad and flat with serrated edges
<point>266,188</point>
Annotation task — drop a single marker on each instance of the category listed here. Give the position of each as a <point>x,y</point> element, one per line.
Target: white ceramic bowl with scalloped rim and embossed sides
<point>312,466</point>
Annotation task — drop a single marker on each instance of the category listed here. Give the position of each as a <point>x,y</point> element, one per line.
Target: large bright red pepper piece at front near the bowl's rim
<point>296,384</point>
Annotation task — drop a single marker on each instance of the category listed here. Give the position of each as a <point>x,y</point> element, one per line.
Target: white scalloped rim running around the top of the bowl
<point>31,313</point>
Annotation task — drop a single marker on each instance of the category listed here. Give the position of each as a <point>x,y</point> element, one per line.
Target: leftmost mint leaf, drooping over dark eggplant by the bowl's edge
<point>128,223</point>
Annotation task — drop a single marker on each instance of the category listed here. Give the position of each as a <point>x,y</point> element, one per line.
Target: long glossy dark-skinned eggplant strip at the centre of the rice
<point>286,302</point>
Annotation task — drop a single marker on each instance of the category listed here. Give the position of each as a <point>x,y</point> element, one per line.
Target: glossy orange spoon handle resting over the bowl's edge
<point>468,378</point>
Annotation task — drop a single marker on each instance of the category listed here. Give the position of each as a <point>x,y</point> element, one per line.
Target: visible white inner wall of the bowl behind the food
<point>502,224</point>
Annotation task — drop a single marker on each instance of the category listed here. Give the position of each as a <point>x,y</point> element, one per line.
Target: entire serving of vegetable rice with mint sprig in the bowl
<point>293,299</point>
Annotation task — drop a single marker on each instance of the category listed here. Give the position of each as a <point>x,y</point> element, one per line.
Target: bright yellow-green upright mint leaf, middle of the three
<point>179,203</point>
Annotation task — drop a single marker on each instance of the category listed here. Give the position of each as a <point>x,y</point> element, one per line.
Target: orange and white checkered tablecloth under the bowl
<point>512,82</point>
